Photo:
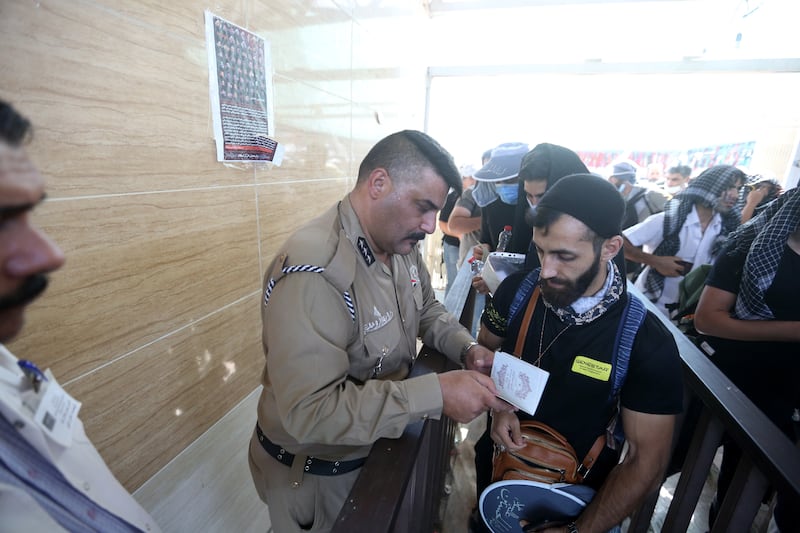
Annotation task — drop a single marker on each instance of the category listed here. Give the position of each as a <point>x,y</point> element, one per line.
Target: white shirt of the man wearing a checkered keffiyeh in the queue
<point>695,247</point>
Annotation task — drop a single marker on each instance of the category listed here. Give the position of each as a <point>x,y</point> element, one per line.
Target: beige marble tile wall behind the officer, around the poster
<point>153,321</point>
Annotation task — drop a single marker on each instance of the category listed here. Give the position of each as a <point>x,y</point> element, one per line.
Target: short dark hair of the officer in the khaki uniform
<point>405,153</point>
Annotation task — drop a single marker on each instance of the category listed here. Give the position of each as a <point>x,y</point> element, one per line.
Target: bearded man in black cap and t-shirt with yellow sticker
<point>572,334</point>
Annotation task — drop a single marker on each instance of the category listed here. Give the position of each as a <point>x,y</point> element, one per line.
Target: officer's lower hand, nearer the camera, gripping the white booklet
<point>466,394</point>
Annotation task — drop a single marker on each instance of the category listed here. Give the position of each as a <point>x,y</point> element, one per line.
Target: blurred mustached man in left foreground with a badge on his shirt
<point>51,477</point>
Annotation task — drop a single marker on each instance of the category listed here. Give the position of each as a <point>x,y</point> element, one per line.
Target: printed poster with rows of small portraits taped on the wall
<point>240,85</point>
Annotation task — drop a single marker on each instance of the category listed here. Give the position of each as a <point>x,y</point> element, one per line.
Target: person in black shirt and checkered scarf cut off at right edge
<point>749,314</point>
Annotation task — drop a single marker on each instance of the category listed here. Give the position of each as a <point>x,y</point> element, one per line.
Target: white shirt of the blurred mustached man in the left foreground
<point>79,463</point>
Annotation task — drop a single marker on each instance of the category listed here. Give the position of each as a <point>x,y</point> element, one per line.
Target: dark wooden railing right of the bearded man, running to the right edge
<point>769,458</point>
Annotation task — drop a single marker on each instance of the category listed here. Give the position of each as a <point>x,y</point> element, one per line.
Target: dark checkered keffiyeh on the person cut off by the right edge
<point>765,239</point>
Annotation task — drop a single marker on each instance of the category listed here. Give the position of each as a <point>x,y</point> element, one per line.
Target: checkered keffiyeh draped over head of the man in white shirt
<point>705,189</point>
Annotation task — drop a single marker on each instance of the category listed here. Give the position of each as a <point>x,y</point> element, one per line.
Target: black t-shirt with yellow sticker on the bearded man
<point>576,398</point>
